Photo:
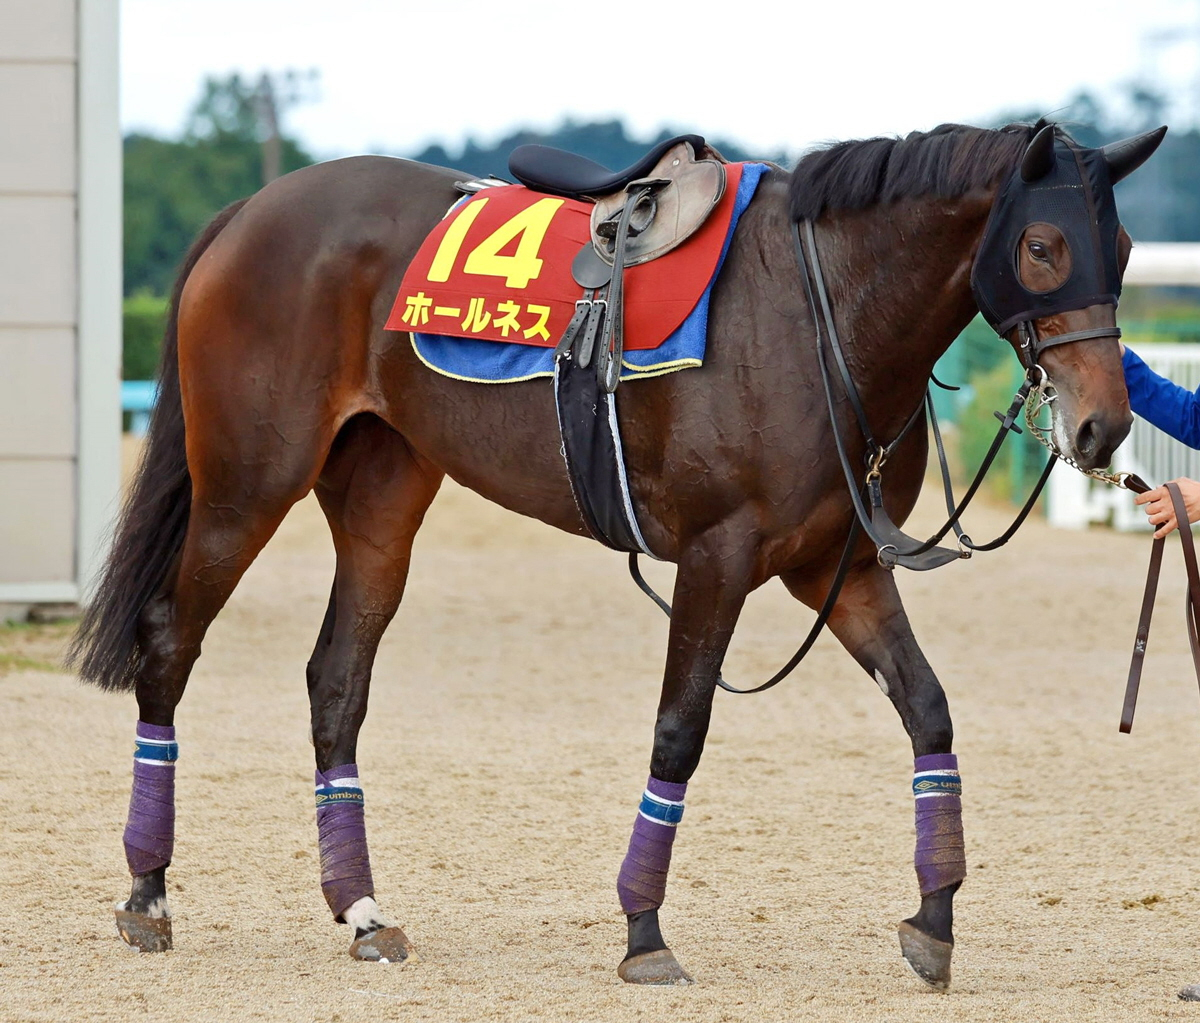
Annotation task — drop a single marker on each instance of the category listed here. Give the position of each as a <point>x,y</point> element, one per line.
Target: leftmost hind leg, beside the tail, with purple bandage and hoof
<point>230,522</point>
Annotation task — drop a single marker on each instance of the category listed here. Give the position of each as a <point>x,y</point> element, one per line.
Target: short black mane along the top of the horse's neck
<point>949,161</point>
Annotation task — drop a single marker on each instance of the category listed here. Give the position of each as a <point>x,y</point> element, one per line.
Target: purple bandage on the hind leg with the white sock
<point>343,836</point>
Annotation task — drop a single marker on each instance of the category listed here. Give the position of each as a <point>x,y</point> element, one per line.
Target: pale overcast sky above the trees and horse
<point>775,76</point>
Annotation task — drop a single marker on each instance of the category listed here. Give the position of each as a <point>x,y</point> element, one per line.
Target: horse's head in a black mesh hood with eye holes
<point>1048,278</point>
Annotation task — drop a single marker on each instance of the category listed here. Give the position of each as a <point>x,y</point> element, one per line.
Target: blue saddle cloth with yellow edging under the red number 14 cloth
<point>502,362</point>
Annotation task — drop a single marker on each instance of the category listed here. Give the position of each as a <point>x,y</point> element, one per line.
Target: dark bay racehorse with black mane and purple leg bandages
<point>278,379</point>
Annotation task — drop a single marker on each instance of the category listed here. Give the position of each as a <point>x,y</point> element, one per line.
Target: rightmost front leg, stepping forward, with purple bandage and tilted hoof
<point>872,624</point>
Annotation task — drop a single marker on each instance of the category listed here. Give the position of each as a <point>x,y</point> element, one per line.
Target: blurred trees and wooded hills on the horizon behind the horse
<point>232,145</point>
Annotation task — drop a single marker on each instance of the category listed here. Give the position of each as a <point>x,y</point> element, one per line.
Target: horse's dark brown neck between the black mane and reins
<point>901,282</point>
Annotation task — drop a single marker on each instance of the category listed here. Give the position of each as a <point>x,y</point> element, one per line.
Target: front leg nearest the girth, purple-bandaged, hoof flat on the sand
<point>711,588</point>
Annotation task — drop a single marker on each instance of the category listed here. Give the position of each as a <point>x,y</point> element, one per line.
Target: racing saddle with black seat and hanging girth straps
<point>639,214</point>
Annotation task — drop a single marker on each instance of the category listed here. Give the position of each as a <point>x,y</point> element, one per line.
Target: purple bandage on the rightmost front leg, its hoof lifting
<point>941,857</point>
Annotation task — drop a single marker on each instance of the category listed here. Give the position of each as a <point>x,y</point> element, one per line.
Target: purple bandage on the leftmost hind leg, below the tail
<point>151,830</point>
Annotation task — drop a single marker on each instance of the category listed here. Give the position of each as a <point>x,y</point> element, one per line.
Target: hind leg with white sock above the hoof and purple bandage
<point>375,493</point>
